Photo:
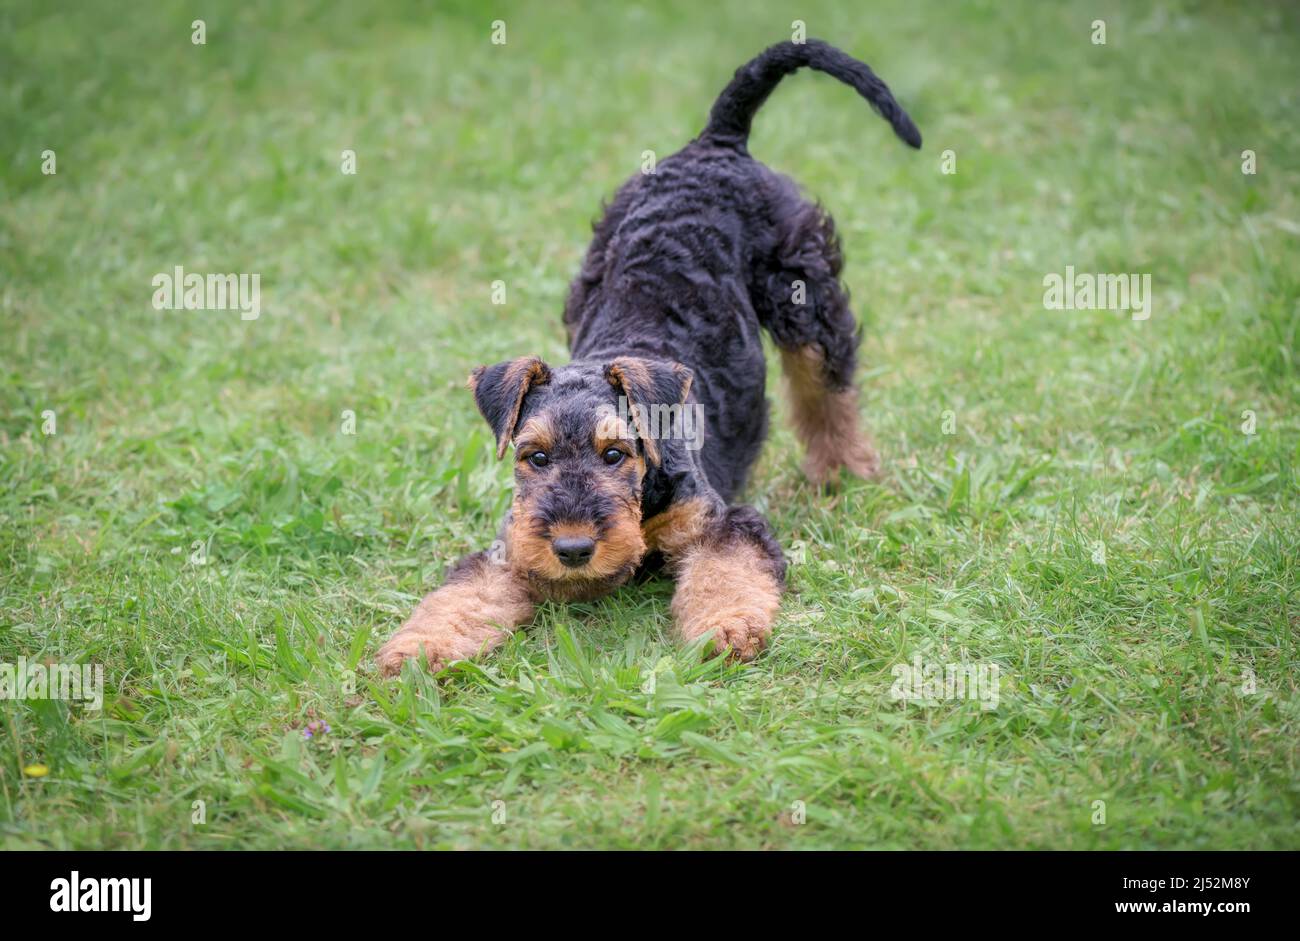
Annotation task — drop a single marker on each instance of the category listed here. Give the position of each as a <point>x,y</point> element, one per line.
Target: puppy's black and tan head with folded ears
<point>582,457</point>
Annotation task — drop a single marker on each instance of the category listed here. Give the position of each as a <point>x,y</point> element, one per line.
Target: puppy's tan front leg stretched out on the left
<point>482,604</point>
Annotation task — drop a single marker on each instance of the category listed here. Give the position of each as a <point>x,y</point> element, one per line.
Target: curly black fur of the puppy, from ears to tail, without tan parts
<point>687,266</point>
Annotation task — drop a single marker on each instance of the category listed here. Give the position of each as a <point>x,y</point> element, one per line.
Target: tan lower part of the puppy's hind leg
<point>827,423</point>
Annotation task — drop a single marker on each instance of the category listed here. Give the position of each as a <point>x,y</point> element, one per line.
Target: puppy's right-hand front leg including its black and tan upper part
<point>730,574</point>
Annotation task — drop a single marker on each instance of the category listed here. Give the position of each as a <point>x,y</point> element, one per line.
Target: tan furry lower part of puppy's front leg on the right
<point>729,589</point>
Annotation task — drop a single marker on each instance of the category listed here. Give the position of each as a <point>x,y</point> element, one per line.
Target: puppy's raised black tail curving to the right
<point>735,109</point>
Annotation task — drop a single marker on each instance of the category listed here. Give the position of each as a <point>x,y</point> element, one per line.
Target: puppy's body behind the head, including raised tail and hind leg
<point>690,262</point>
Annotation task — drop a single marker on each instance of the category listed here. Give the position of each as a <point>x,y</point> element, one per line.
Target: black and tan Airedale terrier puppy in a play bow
<point>664,324</point>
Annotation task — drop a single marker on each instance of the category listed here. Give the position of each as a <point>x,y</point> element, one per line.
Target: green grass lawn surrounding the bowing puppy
<point>1120,682</point>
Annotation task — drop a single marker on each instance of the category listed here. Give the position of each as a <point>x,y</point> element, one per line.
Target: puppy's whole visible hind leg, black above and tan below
<point>801,302</point>
